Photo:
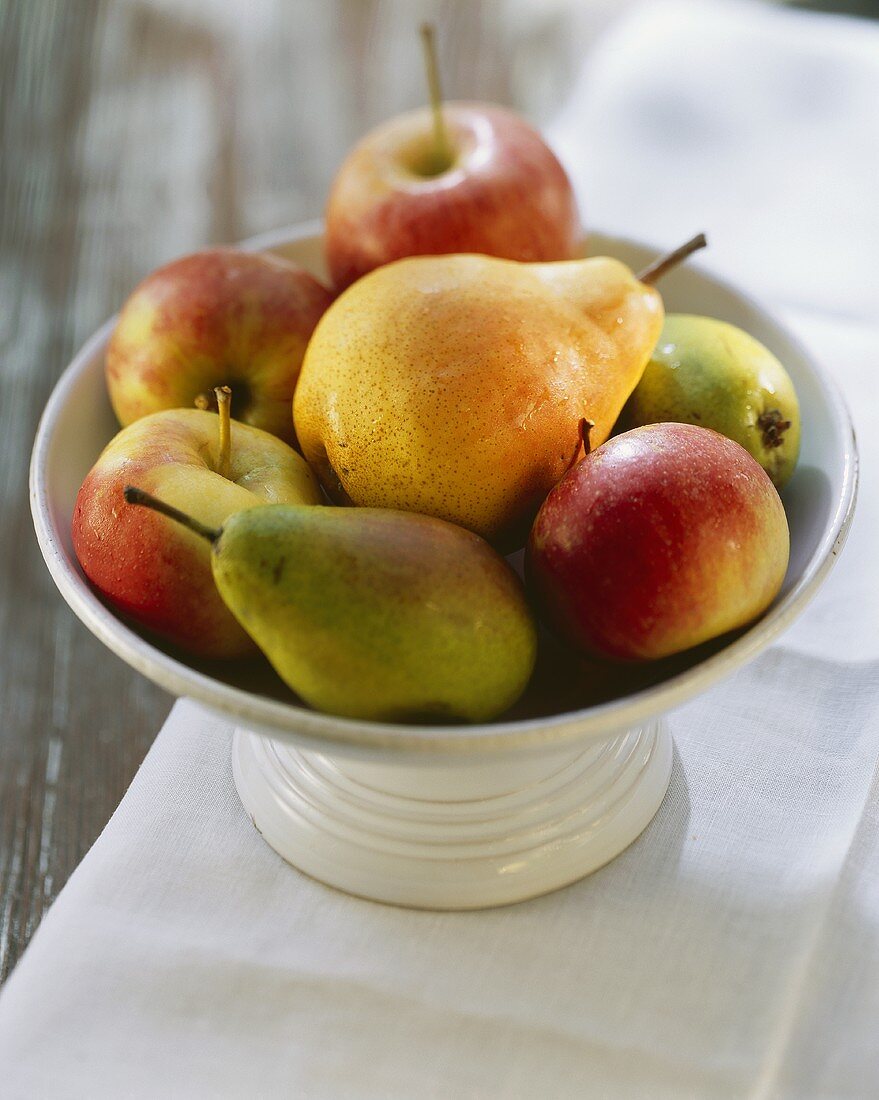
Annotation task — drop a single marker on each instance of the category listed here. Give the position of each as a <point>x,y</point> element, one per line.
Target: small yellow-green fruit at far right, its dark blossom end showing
<point>712,375</point>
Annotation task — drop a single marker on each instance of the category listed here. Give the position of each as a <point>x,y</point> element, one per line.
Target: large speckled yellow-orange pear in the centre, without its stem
<point>454,386</point>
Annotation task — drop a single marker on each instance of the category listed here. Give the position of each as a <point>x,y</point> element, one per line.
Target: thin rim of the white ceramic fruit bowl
<point>292,721</point>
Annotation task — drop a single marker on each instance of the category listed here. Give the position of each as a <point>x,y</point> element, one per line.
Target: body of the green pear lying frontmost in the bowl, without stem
<point>379,615</point>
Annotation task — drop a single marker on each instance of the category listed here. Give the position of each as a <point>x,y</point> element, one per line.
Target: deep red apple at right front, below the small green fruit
<point>663,538</point>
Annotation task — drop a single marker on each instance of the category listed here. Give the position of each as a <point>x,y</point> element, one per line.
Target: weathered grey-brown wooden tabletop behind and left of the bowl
<point>134,131</point>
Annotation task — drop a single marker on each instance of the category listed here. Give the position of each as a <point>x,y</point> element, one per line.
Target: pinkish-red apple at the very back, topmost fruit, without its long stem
<point>507,195</point>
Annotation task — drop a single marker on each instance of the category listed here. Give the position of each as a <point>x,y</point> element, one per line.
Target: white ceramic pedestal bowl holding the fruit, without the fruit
<point>357,773</point>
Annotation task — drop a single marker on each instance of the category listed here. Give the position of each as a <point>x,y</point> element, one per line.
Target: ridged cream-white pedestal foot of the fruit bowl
<point>470,834</point>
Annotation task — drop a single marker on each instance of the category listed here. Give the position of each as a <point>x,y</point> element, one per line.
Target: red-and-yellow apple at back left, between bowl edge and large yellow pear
<point>219,317</point>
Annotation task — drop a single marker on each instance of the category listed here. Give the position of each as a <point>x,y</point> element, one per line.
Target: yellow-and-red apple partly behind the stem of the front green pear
<point>151,568</point>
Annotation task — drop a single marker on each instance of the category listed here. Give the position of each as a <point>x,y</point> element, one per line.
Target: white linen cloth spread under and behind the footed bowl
<point>734,950</point>
